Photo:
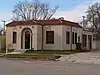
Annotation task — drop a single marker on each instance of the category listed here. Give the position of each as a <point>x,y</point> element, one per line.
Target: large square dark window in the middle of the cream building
<point>49,37</point>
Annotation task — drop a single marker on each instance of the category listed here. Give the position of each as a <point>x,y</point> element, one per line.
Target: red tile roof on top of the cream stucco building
<point>44,22</point>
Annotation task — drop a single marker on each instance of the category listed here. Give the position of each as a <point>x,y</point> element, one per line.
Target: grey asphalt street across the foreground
<point>22,67</point>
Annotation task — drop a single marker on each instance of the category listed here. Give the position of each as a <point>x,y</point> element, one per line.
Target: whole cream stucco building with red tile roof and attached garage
<point>54,34</point>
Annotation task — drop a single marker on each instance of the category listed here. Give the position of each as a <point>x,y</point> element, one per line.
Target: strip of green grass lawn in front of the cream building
<point>41,54</point>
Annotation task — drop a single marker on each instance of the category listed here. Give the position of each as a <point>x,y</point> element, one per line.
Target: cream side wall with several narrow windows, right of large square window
<point>73,29</point>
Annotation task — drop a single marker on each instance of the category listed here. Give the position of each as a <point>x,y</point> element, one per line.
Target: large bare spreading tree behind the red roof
<point>34,10</point>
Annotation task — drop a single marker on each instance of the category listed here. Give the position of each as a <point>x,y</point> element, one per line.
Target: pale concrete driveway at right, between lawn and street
<point>88,58</point>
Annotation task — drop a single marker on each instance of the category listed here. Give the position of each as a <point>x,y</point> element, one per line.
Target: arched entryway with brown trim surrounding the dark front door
<point>26,38</point>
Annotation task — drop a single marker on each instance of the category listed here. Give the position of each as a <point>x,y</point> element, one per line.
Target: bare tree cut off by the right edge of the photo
<point>93,16</point>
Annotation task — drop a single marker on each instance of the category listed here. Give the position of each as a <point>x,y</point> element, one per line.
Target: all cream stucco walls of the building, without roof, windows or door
<point>59,36</point>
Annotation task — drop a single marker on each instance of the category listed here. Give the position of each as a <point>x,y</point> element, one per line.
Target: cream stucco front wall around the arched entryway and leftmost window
<point>18,29</point>
